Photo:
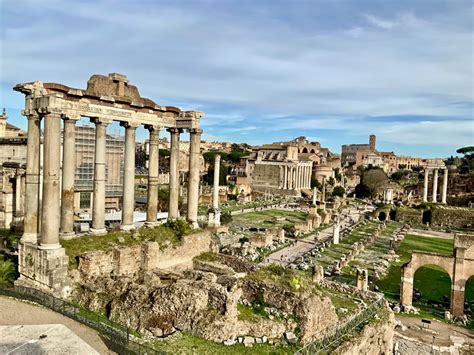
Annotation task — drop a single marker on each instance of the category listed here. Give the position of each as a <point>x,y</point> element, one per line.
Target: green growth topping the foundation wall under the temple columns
<point>162,234</point>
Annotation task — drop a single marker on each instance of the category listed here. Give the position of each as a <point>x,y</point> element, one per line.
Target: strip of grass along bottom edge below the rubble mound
<point>189,344</point>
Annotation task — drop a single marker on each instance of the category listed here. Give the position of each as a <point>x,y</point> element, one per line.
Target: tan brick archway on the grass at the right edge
<point>459,266</point>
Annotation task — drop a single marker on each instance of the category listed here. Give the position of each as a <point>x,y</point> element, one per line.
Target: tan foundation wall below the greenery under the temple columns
<point>143,257</point>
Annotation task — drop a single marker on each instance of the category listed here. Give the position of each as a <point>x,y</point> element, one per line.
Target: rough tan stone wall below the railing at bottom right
<point>375,339</point>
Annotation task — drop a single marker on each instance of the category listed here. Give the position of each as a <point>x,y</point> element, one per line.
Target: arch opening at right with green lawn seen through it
<point>432,289</point>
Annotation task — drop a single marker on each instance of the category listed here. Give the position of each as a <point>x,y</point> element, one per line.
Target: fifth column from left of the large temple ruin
<point>128,193</point>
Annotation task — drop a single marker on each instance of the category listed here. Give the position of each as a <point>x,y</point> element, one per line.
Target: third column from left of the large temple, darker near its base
<point>68,172</point>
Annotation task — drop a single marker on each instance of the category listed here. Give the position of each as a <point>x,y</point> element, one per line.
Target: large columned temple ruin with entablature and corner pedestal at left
<point>50,214</point>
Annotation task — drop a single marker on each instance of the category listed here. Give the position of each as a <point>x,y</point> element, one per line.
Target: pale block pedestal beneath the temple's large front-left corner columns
<point>44,269</point>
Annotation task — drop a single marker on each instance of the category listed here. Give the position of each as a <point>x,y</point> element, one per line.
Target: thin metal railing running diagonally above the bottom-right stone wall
<point>333,336</point>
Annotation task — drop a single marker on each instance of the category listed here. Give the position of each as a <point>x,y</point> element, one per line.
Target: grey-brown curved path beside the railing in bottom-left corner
<point>13,312</point>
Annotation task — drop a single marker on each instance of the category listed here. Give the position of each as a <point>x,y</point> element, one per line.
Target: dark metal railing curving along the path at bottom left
<point>116,336</point>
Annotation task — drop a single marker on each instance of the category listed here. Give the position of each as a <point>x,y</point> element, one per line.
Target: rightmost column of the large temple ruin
<point>193,180</point>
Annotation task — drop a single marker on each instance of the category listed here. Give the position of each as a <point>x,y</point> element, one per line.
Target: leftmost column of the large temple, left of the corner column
<point>32,178</point>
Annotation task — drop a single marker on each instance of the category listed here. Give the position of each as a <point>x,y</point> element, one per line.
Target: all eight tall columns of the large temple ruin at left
<point>57,214</point>
